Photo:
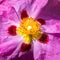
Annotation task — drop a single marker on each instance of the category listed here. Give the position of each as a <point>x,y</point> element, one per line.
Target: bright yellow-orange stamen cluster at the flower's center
<point>30,29</point>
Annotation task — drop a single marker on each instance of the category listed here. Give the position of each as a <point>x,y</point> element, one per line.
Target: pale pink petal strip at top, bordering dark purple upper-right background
<point>36,7</point>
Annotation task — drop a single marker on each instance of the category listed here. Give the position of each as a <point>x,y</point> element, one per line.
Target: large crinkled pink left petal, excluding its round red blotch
<point>8,18</point>
